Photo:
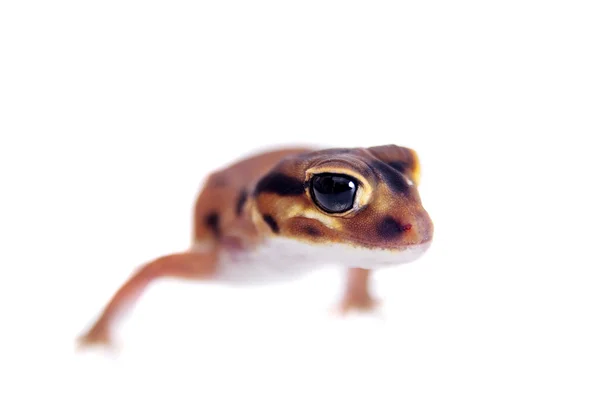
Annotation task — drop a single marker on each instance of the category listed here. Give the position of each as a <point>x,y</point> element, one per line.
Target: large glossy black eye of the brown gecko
<point>333,193</point>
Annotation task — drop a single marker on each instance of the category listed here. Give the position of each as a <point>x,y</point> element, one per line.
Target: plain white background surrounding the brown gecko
<point>113,112</point>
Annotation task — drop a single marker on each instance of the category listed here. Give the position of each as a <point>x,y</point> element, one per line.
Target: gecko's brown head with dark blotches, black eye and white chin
<point>356,205</point>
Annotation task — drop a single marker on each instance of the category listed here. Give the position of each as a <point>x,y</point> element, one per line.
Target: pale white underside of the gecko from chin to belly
<point>280,259</point>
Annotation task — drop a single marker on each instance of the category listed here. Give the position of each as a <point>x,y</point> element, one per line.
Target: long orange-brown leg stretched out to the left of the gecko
<point>186,265</point>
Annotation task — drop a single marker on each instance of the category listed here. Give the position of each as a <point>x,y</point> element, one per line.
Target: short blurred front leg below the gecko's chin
<point>357,295</point>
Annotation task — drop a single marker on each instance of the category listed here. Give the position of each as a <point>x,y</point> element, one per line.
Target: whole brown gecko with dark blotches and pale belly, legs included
<point>281,213</point>
